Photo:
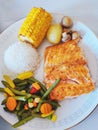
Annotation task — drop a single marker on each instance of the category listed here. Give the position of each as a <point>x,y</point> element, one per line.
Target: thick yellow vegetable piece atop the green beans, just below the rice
<point>25,75</point>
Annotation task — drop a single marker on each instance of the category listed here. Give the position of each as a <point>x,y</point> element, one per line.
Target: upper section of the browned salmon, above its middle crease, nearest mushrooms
<point>64,53</point>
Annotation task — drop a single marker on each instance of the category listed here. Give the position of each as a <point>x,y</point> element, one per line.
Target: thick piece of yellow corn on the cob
<point>35,26</point>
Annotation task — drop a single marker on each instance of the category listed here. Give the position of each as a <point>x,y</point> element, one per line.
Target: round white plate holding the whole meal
<point>72,111</point>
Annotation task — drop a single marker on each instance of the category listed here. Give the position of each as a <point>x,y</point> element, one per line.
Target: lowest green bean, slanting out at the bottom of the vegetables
<point>19,123</point>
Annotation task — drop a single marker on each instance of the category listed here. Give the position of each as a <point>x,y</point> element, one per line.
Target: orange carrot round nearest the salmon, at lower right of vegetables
<point>45,108</point>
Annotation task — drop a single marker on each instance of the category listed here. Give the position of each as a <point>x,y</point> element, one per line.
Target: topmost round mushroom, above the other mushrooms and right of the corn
<point>66,22</point>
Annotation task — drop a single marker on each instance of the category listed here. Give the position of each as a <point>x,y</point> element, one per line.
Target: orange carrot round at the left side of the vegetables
<point>11,103</point>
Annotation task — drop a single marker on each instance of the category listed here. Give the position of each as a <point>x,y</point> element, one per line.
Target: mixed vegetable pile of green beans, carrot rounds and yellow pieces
<point>28,98</point>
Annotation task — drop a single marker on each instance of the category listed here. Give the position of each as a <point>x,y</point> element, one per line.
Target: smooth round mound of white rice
<point>20,57</point>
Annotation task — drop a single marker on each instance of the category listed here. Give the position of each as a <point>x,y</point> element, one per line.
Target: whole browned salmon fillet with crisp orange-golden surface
<point>67,62</point>
